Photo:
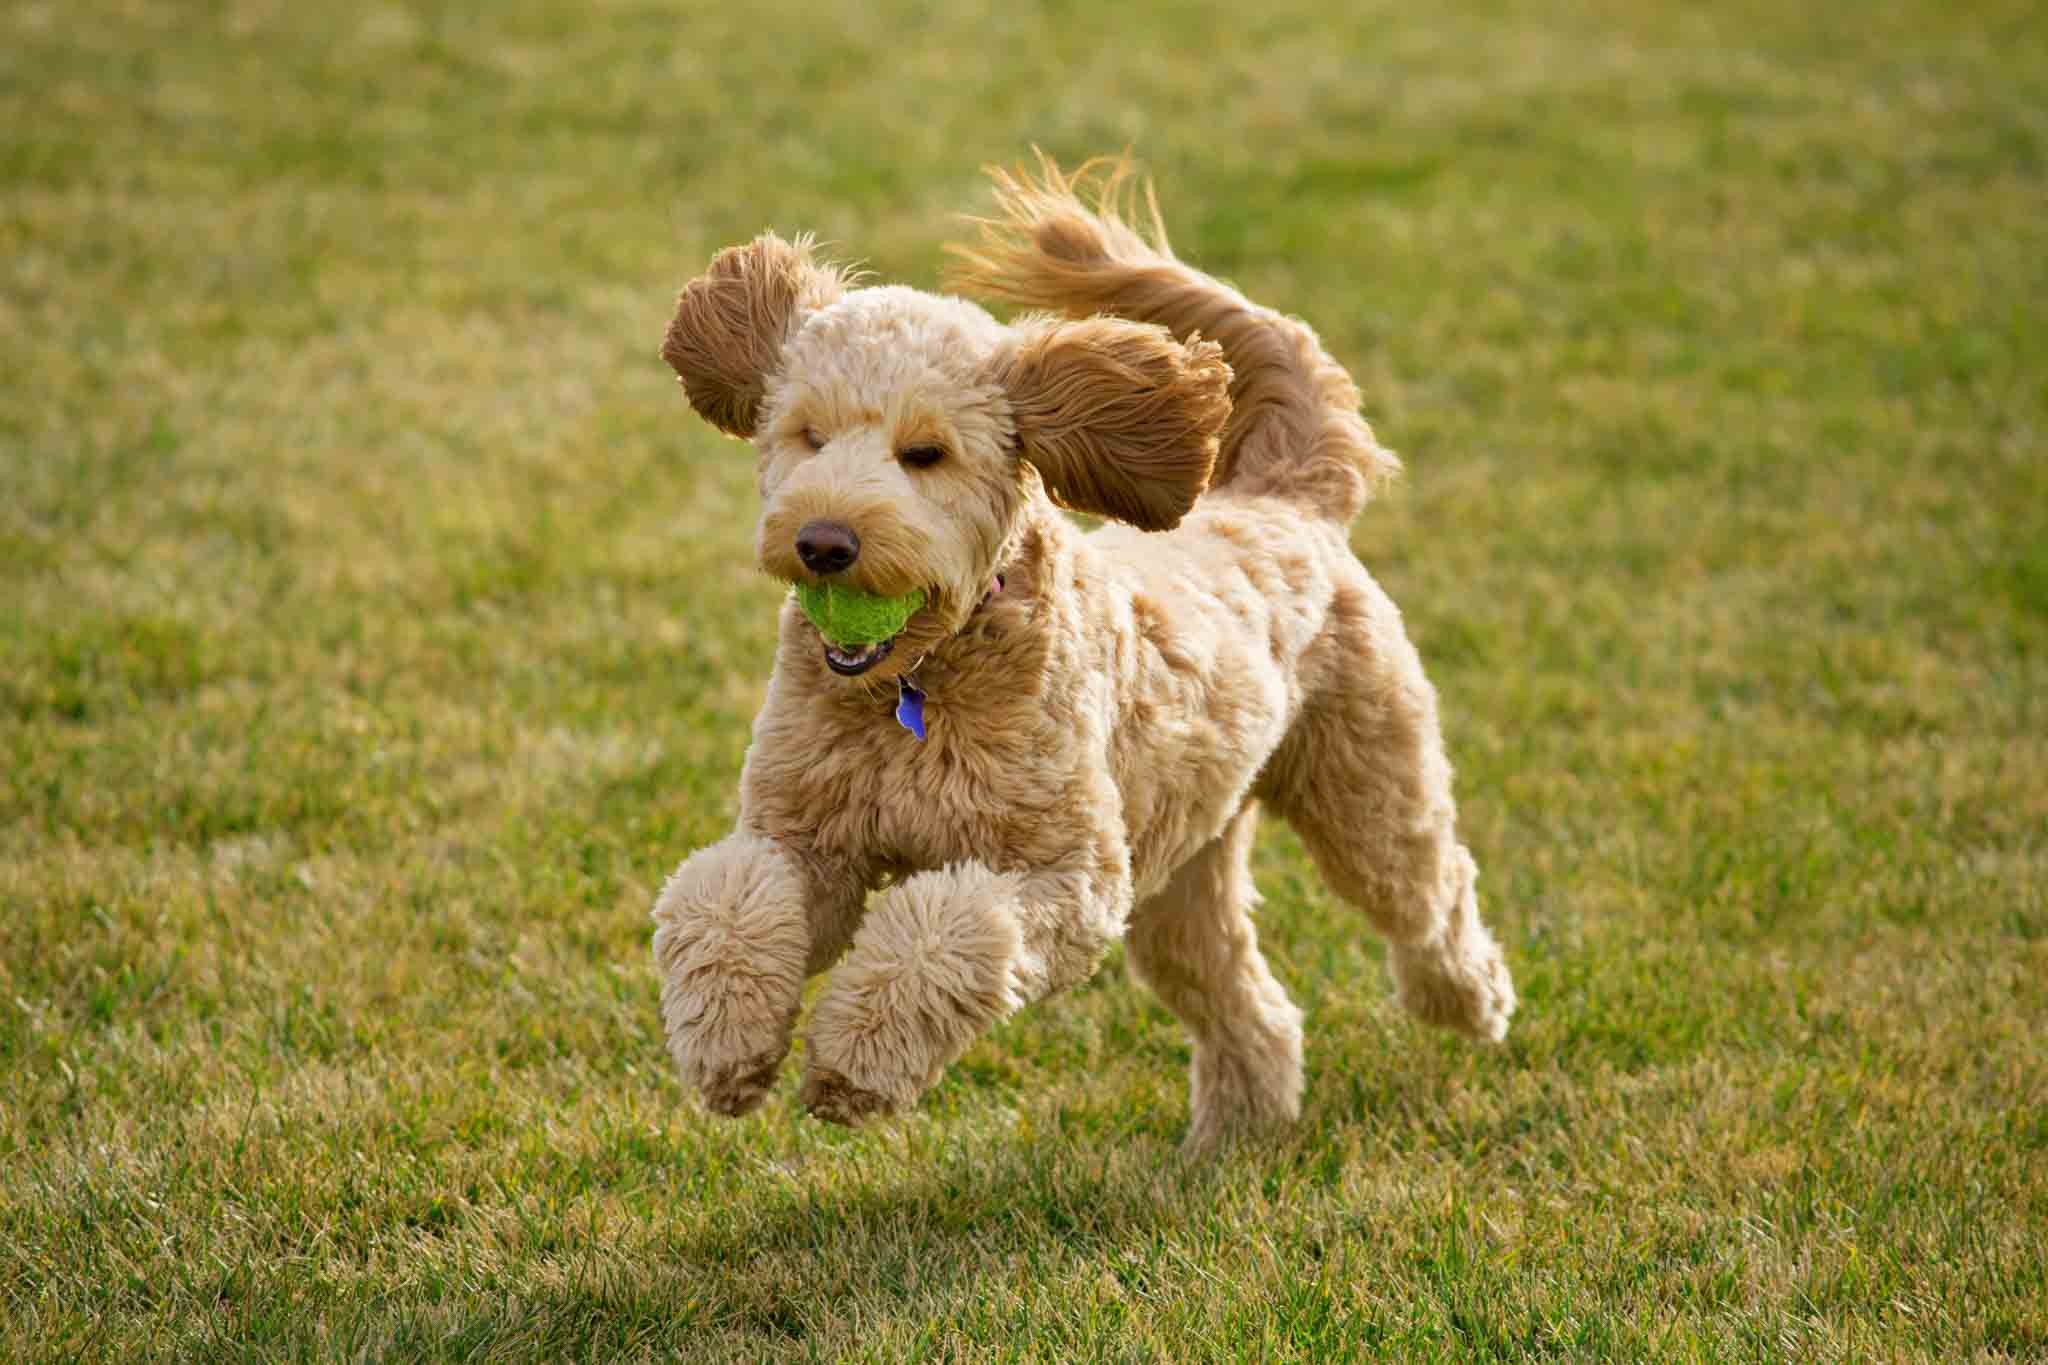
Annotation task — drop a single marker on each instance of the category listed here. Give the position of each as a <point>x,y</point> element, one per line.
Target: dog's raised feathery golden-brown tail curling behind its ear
<point>1066,245</point>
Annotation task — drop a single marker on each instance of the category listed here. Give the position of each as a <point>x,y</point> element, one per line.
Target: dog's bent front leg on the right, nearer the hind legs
<point>939,961</point>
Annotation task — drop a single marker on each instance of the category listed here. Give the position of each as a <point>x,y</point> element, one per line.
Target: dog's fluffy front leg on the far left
<point>738,930</point>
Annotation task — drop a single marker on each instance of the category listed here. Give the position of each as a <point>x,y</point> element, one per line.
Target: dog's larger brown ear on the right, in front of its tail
<point>1117,416</point>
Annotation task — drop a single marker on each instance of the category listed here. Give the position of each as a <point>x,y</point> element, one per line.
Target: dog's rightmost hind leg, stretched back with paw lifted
<point>1365,783</point>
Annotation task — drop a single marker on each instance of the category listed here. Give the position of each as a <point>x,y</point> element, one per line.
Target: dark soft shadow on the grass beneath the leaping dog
<point>931,1241</point>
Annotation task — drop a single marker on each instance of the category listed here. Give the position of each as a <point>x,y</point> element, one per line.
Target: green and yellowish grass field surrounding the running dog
<point>378,629</point>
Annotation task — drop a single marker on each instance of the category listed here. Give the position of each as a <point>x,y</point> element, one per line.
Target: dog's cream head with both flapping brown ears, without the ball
<point>902,435</point>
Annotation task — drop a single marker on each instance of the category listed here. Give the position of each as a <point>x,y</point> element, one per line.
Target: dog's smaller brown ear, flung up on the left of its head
<point>734,320</point>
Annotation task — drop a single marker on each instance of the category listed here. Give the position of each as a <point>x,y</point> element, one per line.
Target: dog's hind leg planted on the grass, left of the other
<point>1195,946</point>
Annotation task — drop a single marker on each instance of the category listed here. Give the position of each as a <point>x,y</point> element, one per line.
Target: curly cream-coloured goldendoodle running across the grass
<point>1064,736</point>
